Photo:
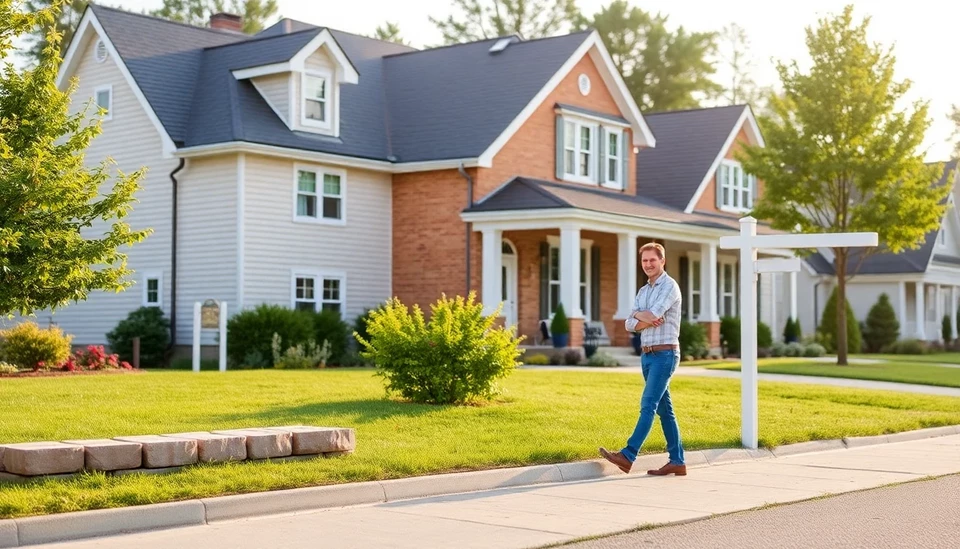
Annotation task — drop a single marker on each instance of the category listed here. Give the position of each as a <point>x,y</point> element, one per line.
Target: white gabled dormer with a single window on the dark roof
<point>304,91</point>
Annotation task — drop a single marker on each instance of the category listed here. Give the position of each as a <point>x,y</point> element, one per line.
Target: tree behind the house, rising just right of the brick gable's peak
<point>663,70</point>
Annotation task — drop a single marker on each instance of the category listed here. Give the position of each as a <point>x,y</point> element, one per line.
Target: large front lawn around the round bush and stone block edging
<point>543,417</point>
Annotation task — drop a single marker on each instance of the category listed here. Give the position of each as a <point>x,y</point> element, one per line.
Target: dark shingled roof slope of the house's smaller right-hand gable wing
<point>688,142</point>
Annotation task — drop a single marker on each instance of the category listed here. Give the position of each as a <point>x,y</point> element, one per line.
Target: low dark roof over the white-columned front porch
<point>523,193</point>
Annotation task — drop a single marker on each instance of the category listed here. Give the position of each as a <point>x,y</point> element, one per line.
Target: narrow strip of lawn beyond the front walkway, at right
<point>899,372</point>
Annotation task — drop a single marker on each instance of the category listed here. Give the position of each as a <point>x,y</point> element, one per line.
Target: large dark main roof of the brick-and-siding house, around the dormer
<point>410,105</point>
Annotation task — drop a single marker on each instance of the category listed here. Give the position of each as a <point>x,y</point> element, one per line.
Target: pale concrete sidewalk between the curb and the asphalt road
<point>542,514</point>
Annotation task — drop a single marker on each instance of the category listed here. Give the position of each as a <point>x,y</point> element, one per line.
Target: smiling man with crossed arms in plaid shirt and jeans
<point>656,315</point>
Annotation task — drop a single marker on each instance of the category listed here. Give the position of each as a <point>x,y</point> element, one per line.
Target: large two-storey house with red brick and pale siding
<point>313,168</point>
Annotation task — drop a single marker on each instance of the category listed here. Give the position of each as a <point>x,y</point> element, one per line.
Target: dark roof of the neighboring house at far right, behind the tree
<point>907,261</point>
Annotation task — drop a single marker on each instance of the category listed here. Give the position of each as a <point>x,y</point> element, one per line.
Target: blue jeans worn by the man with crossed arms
<point>657,368</point>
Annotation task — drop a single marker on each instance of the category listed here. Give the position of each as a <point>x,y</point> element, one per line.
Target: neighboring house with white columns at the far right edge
<point>923,283</point>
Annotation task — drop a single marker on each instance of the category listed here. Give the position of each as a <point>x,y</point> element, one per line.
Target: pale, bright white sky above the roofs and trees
<point>921,31</point>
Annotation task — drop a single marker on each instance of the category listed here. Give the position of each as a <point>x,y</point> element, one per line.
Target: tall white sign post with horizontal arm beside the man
<point>748,242</point>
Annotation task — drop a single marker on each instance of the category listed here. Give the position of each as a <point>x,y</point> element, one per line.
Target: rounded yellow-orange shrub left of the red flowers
<point>27,345</point>
